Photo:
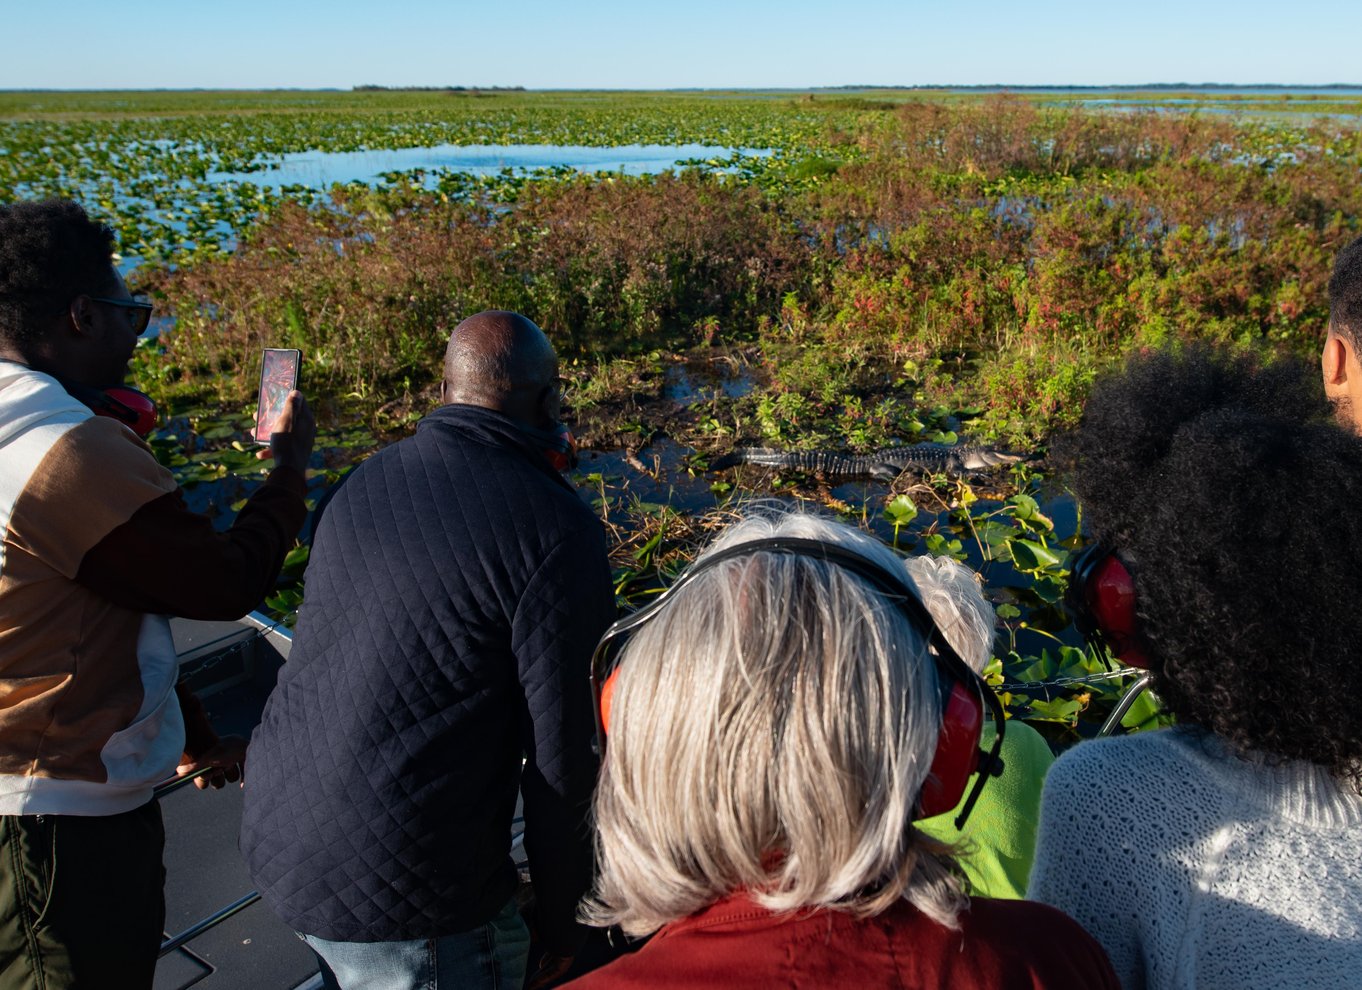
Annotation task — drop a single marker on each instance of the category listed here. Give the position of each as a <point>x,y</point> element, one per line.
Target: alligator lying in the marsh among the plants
<point>886,465</point>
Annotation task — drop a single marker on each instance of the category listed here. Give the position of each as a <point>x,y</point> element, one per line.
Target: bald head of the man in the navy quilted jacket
<point>501,362</point>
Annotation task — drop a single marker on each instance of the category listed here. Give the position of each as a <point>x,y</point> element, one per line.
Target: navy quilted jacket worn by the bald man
<point>456,592</point>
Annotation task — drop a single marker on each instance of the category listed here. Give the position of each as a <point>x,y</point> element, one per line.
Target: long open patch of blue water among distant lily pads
<point>322,170</point>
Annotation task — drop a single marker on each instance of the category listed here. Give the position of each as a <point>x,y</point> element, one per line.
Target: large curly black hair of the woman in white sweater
<point>1237,502</point>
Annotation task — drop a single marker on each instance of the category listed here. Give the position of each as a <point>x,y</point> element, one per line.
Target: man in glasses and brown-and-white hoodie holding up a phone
<point>99,549</point>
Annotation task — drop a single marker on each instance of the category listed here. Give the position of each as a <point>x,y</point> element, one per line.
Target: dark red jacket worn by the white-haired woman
<point>1000,946</point>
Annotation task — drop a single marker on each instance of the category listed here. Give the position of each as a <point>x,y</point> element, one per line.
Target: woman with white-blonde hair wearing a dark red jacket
<point>770,737</point>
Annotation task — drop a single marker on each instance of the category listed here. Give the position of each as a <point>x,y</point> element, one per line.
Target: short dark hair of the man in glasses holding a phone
<point>50,254</point>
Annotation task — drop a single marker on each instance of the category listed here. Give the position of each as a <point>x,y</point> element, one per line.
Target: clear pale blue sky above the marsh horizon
<point>138,44</point>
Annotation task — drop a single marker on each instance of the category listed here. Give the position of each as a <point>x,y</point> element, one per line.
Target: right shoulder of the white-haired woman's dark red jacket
<point>1037,940</point>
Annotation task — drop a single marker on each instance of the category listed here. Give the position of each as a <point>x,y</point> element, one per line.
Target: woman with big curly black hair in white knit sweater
<point>1226,852</point>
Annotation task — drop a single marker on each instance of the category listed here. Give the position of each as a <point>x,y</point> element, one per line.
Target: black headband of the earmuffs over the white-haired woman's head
<point>947,660</point>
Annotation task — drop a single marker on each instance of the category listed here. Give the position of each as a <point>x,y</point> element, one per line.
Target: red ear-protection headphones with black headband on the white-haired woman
<point>964,692</point>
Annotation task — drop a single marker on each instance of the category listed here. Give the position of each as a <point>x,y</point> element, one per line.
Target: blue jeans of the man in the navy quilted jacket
<point>491,957</point>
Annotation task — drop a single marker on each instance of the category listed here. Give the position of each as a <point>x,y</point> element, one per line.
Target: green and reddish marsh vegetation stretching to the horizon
<point>902,268</point>
